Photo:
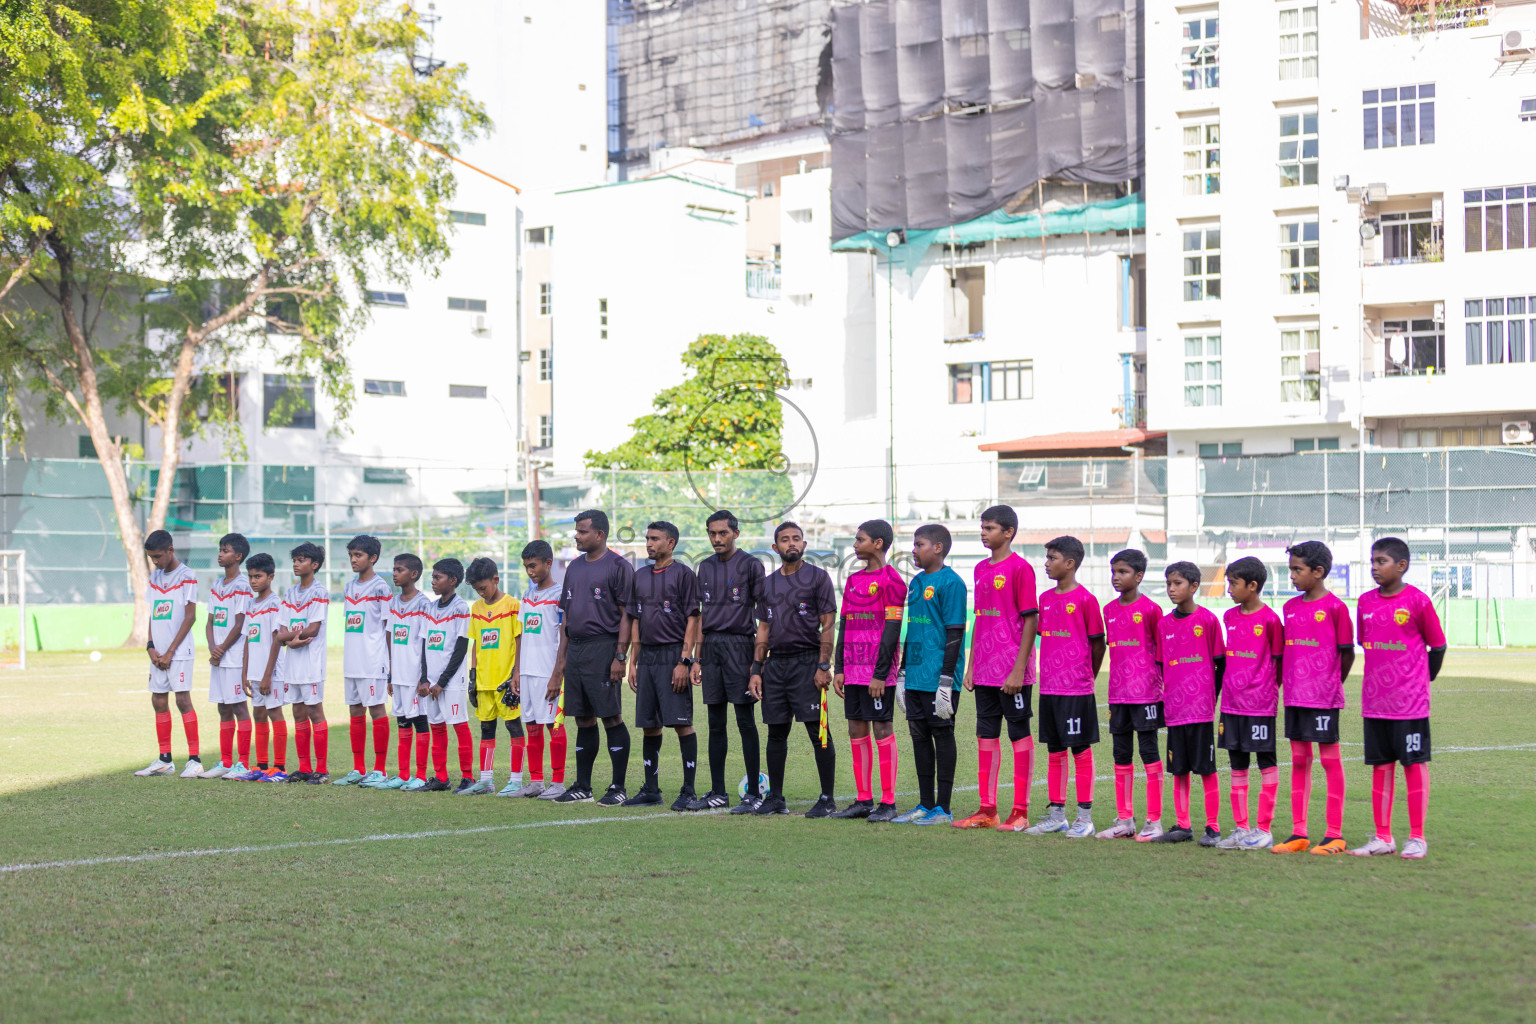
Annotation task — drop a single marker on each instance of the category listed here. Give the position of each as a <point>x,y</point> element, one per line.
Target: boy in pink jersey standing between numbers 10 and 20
<point>1194,658</point>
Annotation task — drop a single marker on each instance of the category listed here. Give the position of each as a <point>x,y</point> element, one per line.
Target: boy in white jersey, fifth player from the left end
<point>365,659</point>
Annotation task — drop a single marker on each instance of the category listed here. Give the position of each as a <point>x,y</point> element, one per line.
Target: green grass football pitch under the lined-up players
<point>317,903</point>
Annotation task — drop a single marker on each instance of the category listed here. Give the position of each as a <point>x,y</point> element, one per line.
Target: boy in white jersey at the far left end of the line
<point>173,610</point>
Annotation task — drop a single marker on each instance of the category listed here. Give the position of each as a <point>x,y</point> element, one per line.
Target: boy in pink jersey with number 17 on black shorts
<point>1320,653</point>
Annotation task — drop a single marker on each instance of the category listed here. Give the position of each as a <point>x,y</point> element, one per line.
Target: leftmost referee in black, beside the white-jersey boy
<point>595,642</point>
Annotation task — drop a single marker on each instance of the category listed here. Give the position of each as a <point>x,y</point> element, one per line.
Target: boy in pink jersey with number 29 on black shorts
<point>1405,652</point>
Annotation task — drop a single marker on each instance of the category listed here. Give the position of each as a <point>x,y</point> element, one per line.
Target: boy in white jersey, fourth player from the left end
<point>303,659</point>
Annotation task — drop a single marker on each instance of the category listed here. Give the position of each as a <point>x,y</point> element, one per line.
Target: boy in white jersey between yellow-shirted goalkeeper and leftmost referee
<point>537,649</point>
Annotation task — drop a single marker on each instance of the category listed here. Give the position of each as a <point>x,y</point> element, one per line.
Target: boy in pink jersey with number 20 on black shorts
<point>1250,701</point>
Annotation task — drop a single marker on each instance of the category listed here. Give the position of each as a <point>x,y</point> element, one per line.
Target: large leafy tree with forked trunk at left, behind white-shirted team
<point>231,162</point>
